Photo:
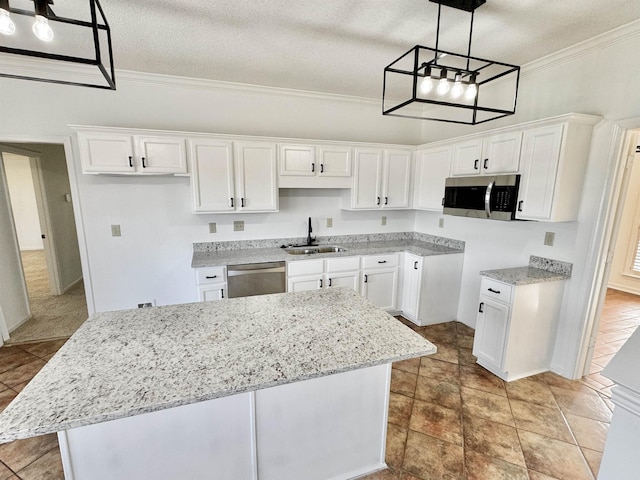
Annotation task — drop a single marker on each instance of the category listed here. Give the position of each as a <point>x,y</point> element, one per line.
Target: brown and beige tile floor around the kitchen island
<point>448,418</point>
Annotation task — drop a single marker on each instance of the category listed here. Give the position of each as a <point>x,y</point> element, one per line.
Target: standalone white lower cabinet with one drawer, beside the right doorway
<point>516,327</point>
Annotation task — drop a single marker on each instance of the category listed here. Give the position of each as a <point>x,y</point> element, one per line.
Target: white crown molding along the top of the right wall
<point>586,47</point>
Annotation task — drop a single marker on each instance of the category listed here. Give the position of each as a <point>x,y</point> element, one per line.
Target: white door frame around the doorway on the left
<point>70,152</point>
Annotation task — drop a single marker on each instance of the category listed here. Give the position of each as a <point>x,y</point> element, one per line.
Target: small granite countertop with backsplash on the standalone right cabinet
<point>540,270</point>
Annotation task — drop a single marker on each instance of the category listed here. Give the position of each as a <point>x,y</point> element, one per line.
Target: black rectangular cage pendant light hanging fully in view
<point>434,84</point>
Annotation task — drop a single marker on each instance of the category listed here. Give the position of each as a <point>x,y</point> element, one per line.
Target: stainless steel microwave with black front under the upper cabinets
<point>494,197</point>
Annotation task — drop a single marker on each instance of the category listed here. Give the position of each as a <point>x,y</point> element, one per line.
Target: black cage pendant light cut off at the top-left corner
<point>36,44</point>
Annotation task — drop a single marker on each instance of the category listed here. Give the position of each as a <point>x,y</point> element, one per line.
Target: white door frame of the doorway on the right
<point>604,238</point>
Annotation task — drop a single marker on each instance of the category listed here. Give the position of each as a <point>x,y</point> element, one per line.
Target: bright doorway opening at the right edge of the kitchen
<point>618,307</point>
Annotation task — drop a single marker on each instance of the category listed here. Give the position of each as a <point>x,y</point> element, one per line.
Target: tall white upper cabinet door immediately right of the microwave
<point>539,165</point>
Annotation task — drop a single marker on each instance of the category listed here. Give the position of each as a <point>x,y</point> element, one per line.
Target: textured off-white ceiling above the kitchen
<point>336,46</point>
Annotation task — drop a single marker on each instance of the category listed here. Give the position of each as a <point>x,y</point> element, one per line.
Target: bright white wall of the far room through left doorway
<point>23,201</point>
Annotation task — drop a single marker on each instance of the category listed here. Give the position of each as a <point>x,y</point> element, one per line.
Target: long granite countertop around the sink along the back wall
<point>203,259</point>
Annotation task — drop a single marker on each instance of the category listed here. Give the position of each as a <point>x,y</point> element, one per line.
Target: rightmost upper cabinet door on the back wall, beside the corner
<point>397,175</point>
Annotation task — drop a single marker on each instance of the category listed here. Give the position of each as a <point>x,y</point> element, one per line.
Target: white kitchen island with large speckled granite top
<point>284,386</point>
